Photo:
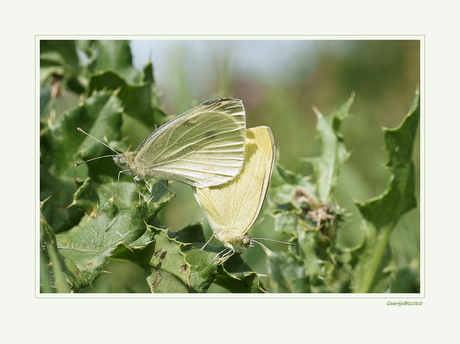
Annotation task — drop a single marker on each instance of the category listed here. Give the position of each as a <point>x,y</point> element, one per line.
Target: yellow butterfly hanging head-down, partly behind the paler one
<point>232,208</point>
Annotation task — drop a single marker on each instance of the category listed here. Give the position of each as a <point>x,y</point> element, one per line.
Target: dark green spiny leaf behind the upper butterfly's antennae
<point>60,146</point>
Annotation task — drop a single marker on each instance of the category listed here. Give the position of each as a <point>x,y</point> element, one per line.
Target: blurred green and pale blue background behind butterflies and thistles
<point>279,82</point>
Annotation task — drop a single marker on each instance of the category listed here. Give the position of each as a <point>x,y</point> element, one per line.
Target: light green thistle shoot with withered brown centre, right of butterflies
<point>301,209</point>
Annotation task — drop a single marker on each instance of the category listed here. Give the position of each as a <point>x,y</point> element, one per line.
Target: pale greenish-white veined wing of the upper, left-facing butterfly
<point>204,146</point>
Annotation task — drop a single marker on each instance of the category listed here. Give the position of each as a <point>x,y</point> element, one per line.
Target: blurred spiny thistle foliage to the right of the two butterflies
<point>317,263</point>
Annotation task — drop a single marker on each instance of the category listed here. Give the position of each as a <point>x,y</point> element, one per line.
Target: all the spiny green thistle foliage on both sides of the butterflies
<point>84,224</point>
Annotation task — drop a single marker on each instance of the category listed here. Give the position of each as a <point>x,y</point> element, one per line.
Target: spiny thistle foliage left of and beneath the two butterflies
<point>82,225</point>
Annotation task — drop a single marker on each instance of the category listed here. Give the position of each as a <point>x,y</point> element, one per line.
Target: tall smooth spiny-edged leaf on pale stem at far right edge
<point>383,212</point>
